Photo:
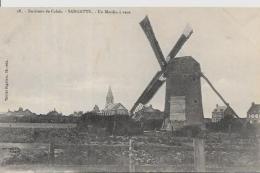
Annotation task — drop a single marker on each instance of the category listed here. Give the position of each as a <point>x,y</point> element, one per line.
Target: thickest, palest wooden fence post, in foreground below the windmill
<point>199,155</point>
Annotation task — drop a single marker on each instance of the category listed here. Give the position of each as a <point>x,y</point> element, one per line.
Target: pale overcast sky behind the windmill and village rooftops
<point>67,61</point>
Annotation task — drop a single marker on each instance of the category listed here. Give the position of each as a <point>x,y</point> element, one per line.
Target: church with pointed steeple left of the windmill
<point>112,108</point>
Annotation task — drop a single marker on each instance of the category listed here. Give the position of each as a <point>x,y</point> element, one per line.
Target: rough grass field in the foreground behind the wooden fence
<point>26,145</point>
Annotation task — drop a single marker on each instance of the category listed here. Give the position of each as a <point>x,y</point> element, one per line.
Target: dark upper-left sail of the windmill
<point>148,30</point>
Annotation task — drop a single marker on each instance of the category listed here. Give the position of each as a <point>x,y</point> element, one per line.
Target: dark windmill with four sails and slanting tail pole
<point>183,100</point>
